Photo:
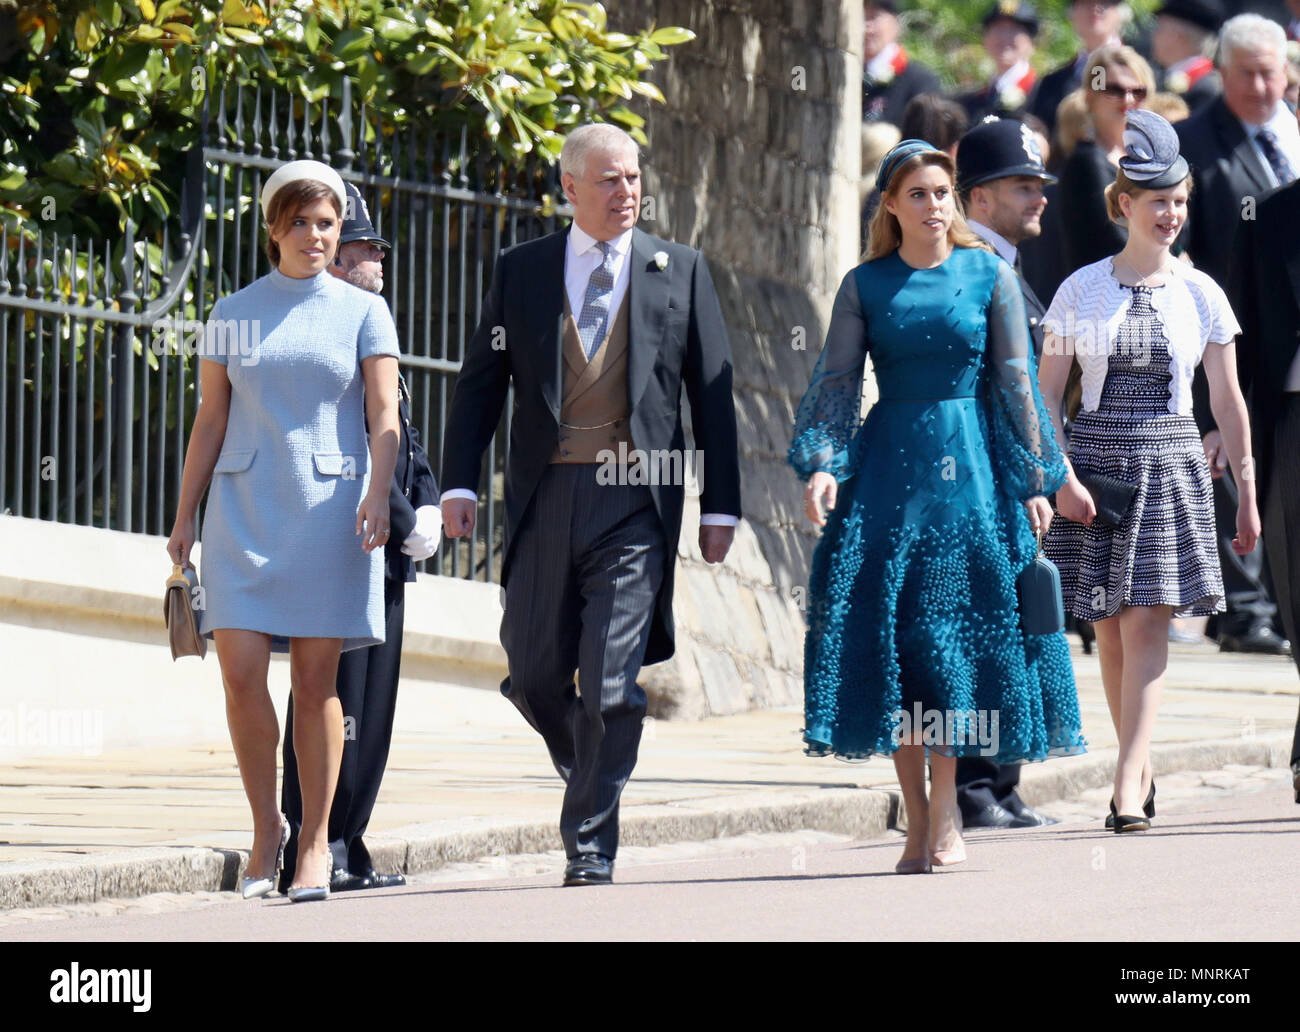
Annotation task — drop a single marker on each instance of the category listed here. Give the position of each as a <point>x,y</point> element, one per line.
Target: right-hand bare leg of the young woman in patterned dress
<point>1145,631</point>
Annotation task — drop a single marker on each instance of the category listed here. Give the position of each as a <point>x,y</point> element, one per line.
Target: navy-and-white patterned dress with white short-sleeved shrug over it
<point>1165,552</point>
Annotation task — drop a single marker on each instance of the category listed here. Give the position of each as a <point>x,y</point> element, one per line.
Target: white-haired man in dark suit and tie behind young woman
<point>1241,146</point>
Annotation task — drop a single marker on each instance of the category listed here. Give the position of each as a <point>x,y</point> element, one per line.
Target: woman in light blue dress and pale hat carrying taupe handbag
<point>293,368</point>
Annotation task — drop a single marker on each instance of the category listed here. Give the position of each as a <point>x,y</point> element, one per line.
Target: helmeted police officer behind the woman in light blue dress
<point>369,678</point>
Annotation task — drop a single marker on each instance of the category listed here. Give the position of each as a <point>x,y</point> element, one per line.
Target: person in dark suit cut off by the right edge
<point>1264,289</point>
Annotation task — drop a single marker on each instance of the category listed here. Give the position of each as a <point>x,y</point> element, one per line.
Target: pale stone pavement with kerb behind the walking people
<point>469,779</point>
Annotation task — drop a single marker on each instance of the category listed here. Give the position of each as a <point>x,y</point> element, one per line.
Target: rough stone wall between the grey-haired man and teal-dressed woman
<point>755,162</point>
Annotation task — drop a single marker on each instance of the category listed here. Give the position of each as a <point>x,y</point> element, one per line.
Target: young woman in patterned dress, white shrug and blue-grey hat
<point>1139,323</point>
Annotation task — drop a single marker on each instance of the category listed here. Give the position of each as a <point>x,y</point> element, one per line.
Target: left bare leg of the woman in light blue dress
<point>245,657</point>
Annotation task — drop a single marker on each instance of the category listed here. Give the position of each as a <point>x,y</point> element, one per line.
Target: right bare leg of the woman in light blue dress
<point>319,747</point>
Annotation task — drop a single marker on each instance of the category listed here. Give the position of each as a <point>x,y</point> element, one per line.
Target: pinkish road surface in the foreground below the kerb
<point>1219,866</point>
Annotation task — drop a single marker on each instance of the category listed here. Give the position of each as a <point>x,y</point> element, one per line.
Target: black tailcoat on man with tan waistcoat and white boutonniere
<point>677,339</point>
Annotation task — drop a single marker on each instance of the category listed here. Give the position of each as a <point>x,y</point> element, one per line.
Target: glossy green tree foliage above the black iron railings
<point>102,98</point>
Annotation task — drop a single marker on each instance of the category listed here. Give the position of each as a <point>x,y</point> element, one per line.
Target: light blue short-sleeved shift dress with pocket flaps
<point>280,548</point>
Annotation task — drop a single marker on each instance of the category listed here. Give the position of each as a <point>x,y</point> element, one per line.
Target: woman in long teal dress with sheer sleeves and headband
<point>915,626</point>
